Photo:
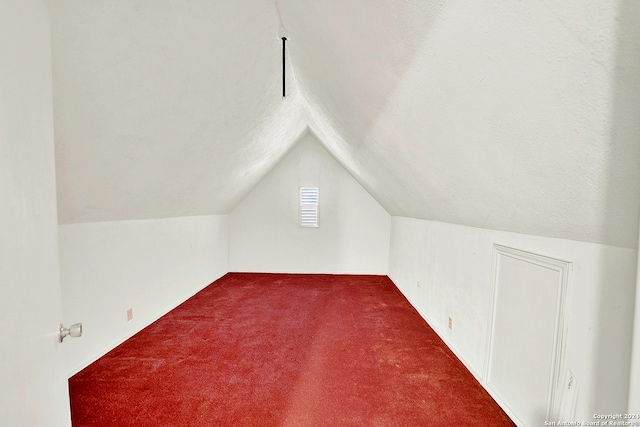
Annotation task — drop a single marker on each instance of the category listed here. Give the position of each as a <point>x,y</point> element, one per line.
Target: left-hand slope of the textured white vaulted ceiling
<point>166,108</point>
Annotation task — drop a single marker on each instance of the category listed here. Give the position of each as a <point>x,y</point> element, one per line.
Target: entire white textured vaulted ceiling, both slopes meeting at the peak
<point>517,116</point>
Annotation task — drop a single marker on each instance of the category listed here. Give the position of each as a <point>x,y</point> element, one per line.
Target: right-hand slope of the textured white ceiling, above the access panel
<point>516,116</point>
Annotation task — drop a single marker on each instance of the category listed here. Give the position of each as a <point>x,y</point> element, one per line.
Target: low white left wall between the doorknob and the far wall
<point>148,265</point>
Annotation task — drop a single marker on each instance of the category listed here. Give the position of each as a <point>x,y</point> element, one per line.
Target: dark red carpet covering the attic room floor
<point>284,350</point>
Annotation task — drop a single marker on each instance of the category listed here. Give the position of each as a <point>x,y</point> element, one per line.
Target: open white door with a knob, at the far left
<point>33,387</point>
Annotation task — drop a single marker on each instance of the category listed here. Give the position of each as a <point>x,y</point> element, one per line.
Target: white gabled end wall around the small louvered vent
<point>353,236</point>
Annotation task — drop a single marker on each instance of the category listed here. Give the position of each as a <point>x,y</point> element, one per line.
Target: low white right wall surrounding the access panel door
<point>454,266</point>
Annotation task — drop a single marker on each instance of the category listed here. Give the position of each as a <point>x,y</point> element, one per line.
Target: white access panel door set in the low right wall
<point>526,334</point>
